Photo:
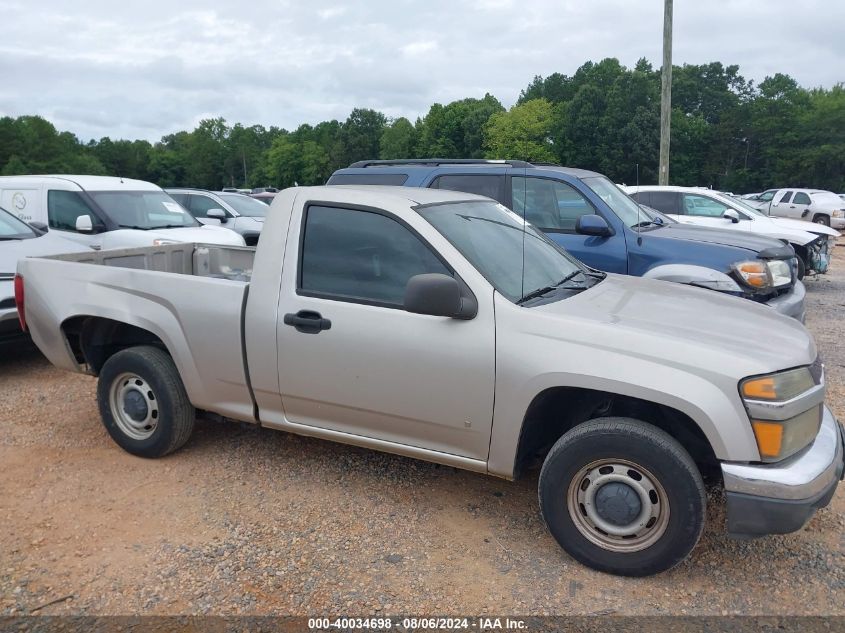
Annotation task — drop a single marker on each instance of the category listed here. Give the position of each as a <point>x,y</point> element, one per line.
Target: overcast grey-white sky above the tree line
<point>143,69</point>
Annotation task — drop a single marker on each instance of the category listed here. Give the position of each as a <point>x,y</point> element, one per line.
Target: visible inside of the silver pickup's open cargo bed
<point>201,260</point>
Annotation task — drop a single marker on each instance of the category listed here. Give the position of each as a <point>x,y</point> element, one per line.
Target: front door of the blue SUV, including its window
<point>554,207</point>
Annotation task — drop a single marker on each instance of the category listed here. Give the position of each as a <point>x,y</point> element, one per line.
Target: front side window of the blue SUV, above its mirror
<point>549,205</point>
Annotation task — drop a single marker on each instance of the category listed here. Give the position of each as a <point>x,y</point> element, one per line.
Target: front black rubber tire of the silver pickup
<point>655,453</point>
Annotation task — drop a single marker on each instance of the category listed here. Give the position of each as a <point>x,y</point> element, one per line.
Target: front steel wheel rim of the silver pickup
<point>590,516</point>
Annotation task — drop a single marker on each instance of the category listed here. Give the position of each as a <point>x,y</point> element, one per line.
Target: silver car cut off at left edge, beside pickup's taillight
<point>19,240</point>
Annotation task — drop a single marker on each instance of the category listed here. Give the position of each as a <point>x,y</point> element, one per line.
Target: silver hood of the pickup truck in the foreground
<point>677,325</point>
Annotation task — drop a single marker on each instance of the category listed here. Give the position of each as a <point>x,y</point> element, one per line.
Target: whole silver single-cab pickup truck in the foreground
<point>438,325</point>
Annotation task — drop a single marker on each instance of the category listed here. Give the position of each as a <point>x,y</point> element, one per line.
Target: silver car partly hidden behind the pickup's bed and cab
<point>236,211</point>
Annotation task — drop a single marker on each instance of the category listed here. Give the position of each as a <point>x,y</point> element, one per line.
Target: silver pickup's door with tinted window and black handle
<point>367,367</point>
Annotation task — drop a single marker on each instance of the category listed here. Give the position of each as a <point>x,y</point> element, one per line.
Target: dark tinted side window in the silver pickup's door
<point>361,255</point>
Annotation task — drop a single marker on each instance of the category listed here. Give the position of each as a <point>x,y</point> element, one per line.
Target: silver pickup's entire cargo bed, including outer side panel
<point>190,296</point>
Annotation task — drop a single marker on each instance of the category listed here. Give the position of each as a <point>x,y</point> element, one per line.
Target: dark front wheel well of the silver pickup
<point>558,410</point>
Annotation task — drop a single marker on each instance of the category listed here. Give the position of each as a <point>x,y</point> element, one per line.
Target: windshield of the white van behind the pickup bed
<point>143,210</point>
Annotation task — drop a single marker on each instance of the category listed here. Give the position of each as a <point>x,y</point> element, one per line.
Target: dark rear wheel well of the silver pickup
<point>94,340</point>
